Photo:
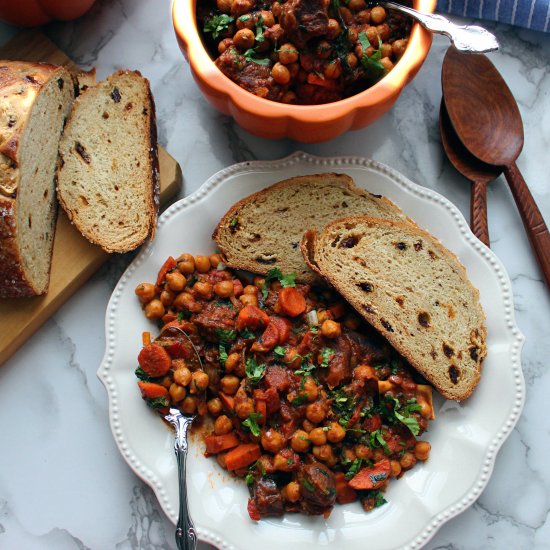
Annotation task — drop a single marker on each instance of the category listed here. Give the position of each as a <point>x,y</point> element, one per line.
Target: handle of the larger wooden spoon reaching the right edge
<point>532,218</point>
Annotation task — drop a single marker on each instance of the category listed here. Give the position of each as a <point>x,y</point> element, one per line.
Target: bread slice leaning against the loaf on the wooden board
<point>108,168</point>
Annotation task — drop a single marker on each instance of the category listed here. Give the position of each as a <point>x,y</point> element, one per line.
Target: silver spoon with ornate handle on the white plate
<point>186,537</point>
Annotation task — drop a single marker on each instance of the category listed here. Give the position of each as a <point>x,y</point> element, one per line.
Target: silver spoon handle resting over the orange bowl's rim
<point>466,38</point>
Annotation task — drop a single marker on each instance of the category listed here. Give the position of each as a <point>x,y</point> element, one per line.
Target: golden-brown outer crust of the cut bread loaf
<point>18,80</point>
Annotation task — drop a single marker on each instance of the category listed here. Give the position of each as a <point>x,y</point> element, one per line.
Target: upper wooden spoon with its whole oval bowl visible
<point>487,120</point>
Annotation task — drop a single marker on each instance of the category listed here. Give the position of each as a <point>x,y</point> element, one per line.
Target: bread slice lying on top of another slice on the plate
<point>413,290</point>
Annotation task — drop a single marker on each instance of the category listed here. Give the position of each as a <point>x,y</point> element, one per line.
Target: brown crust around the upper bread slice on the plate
<point>310,247</point>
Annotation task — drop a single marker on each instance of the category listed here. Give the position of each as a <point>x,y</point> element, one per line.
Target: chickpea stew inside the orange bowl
<point>305,52</point>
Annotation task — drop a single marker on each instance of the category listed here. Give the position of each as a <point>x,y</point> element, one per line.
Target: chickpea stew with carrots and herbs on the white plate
<point>308,405</point>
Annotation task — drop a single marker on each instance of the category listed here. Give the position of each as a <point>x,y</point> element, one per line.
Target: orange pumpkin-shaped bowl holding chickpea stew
<point>304,123</point>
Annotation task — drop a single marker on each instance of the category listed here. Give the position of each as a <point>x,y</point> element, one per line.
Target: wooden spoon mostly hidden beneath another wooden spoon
<point>479,174</point>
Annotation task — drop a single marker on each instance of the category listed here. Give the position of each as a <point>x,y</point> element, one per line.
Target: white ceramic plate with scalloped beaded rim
<point>465,437</point>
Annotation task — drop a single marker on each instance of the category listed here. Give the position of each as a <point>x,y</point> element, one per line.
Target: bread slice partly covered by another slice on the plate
<point>264,230</point>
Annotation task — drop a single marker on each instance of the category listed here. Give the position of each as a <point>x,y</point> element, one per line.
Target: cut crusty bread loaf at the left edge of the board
<point>35,99</point>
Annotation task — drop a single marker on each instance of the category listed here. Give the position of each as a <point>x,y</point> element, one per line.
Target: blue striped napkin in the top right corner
<point>531,14</point>
